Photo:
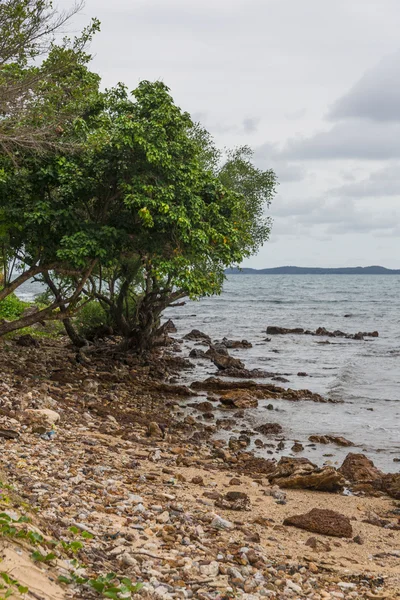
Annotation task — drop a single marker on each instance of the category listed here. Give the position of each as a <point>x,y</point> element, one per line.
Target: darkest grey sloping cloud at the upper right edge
<point>376,96</point>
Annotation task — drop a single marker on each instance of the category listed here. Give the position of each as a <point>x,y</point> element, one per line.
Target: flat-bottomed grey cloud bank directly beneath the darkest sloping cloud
<point>354,139</point>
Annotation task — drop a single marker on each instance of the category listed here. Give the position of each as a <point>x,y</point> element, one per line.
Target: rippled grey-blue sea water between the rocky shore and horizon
<point>364,375</point>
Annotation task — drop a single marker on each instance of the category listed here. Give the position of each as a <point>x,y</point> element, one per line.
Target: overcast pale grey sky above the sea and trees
<point>313,86</point>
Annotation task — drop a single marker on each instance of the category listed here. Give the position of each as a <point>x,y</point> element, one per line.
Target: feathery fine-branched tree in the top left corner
<point>27,82</point>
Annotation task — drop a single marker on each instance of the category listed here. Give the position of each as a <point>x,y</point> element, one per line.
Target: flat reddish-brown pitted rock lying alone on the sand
<point>322,521</point>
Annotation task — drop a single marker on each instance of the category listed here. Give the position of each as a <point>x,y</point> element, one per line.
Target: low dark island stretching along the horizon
<point>374,270</point>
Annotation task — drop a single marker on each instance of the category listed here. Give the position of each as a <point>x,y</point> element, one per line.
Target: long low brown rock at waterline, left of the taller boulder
<point>300,473</point>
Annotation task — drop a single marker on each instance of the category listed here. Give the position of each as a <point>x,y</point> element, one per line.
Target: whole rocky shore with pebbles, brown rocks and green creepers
<point>107,467</point>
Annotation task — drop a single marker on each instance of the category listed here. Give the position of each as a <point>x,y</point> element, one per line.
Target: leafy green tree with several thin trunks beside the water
<point>181,217</point>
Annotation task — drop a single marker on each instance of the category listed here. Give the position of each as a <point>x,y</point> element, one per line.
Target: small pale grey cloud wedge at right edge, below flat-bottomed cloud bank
<point>384,182</point>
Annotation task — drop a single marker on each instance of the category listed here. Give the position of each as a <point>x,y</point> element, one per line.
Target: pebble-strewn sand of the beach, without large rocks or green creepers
<point>122,467</point>
